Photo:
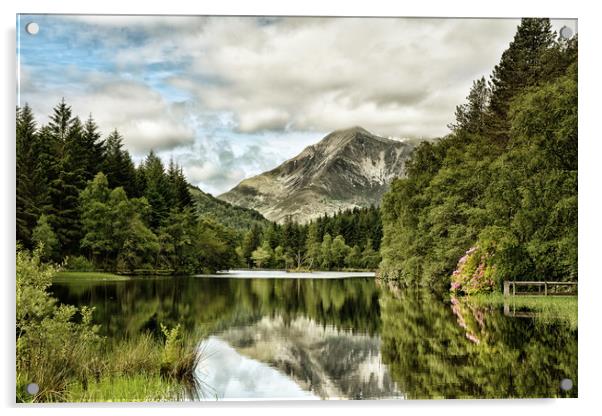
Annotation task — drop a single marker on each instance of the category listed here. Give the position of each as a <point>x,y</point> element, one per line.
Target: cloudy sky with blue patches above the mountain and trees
<point>231,97</point>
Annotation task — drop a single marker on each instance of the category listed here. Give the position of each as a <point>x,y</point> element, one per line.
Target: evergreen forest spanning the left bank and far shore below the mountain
<point>84,200</point>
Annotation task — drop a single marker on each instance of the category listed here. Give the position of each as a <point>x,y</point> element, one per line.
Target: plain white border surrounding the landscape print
<point>590,152</point>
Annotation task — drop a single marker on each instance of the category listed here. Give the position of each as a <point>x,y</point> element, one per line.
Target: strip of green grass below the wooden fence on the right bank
<point>548,309</point>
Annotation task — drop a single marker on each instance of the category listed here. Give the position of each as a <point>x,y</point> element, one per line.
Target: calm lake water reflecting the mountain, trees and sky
<point>338,337</point>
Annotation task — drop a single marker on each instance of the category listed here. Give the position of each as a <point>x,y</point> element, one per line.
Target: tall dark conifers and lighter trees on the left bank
<point>81,195</point>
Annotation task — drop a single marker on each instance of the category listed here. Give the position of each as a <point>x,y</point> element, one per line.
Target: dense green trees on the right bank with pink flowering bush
<point>497,198</point>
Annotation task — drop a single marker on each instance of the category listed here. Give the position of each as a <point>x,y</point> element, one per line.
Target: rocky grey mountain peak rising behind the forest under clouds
<point>346,169</point>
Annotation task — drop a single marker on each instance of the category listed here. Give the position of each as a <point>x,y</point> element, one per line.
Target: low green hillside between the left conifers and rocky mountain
<point>233,216</point>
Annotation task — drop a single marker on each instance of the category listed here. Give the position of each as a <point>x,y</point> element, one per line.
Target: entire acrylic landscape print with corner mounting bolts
<point>221,208</point>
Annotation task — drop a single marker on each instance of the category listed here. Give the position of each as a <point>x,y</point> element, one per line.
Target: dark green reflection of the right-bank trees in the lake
<point>435,348</point>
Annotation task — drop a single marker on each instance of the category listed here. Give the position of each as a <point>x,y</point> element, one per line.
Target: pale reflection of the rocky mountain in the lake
<point>329,362</point>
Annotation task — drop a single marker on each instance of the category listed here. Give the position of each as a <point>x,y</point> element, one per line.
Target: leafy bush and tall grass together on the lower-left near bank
<point>59,349</point>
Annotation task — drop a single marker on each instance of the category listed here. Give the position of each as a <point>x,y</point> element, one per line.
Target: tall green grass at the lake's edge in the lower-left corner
<point>142,368</point>
